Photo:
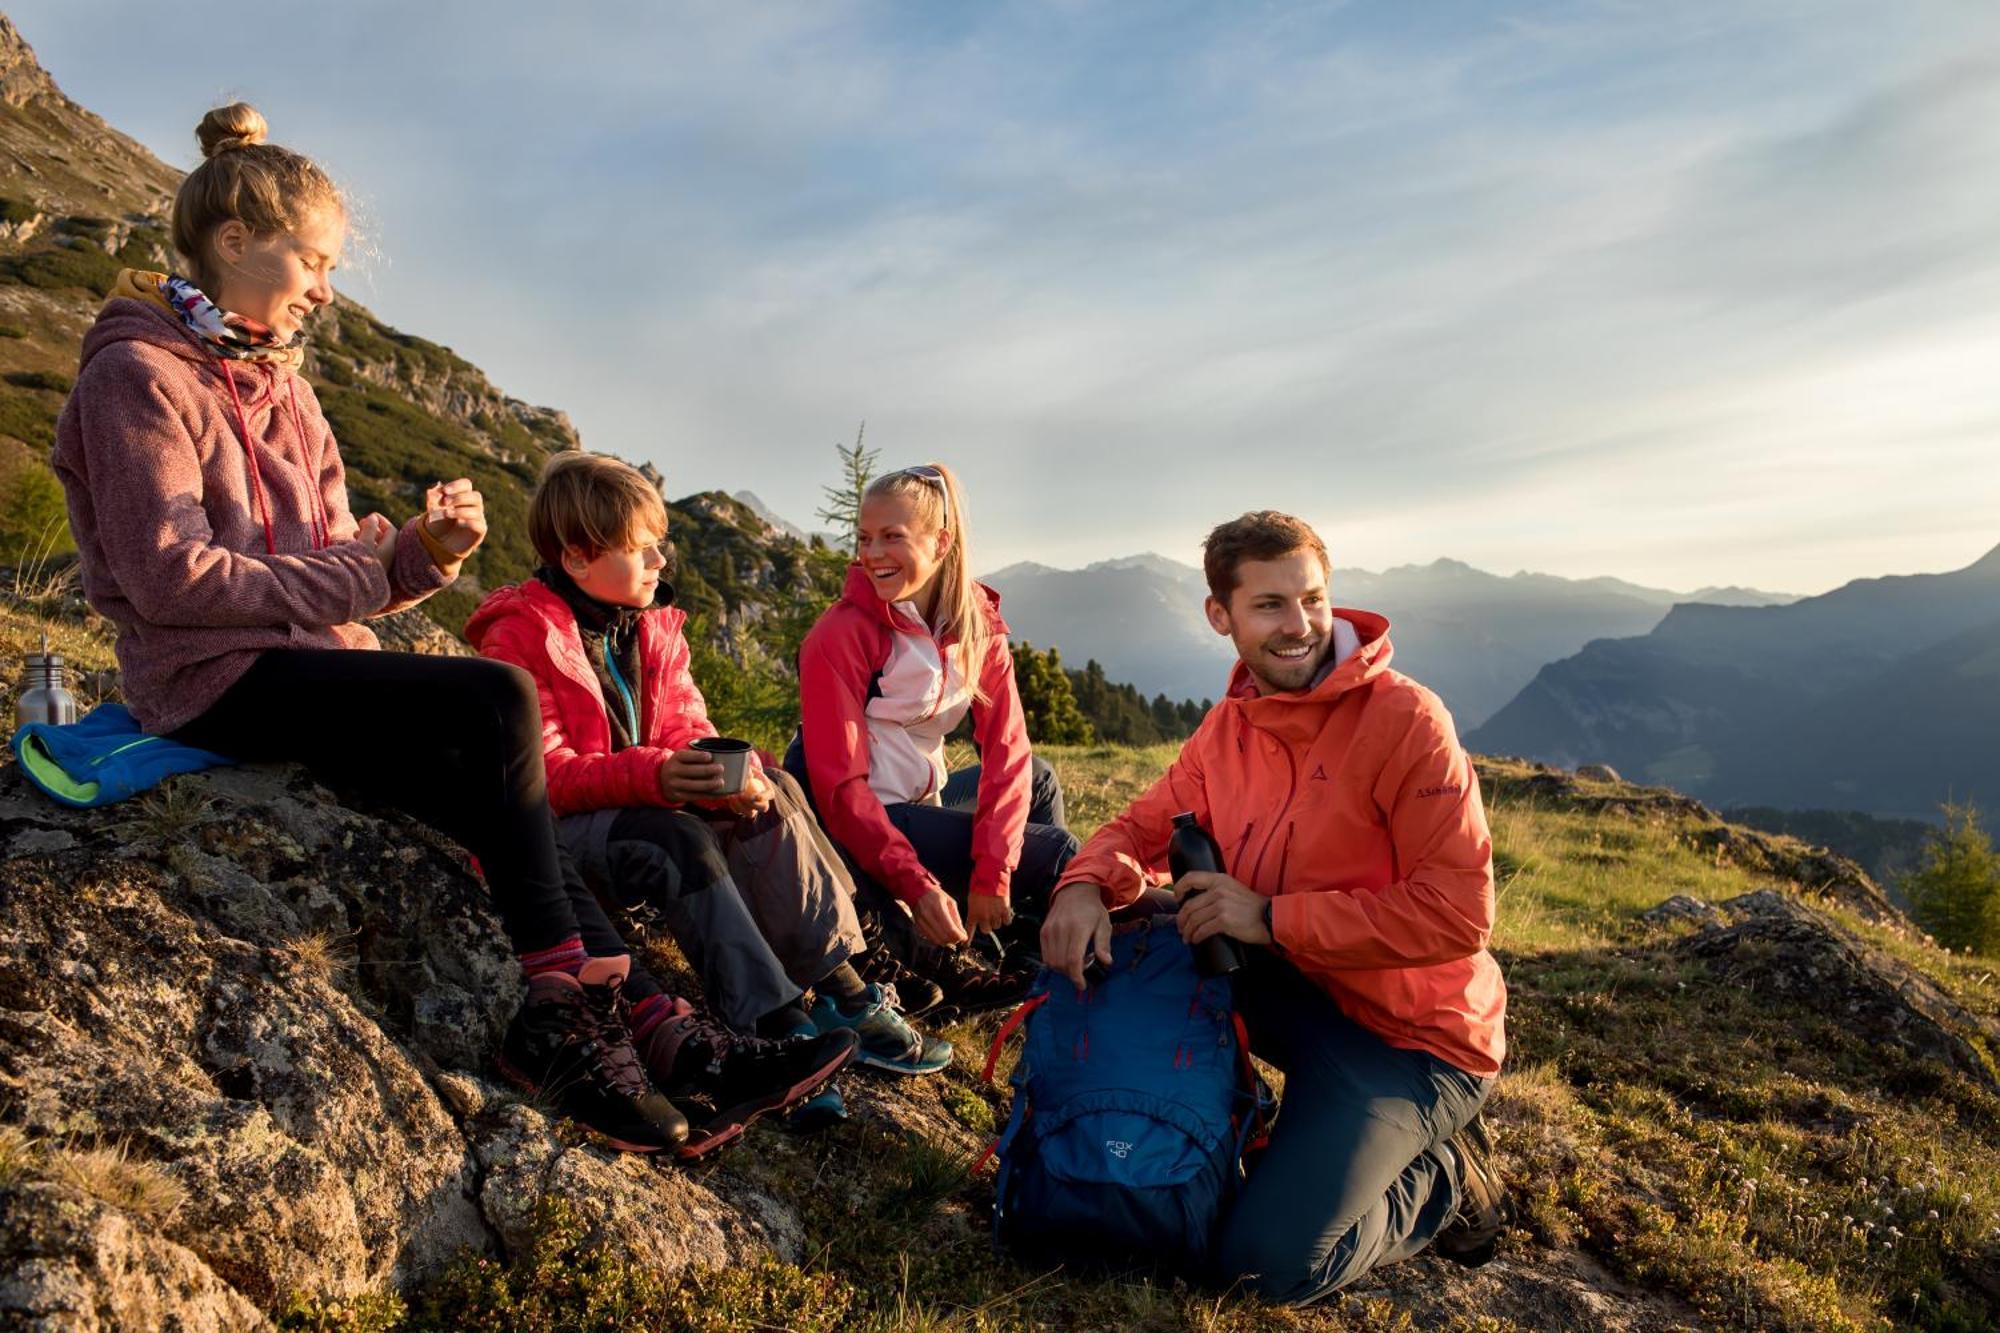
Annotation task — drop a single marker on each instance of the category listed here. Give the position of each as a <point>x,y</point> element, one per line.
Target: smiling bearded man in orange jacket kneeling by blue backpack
<point>1359,862</point>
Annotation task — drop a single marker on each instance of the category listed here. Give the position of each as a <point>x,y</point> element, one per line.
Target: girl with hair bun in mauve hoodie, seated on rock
<point>213,529</point>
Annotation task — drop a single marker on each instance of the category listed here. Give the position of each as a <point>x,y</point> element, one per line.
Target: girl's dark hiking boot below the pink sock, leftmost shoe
<point>571,1046</point>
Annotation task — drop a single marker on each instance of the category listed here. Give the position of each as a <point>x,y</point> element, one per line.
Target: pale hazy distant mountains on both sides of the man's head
<point>1473,637</point>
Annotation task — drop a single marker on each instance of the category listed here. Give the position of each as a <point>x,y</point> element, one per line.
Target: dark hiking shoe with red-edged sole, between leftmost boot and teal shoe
<point>731,1080</point>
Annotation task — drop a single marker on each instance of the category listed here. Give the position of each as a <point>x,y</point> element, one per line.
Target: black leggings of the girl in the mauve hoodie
<point>455,742</point>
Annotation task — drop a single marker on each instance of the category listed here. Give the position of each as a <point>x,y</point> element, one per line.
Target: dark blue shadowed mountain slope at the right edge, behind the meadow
<point>1881,698</point>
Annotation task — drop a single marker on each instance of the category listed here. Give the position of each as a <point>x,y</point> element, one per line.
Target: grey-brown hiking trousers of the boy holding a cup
<point>761,908</point>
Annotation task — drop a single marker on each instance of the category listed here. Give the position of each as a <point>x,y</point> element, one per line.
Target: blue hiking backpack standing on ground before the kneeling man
<point>1133,1110</point>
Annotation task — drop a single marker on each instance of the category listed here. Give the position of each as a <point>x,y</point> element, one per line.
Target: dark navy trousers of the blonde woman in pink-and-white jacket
<point>943,840</point>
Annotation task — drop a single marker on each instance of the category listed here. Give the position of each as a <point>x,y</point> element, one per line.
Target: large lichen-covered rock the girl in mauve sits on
<point>281,1008</point>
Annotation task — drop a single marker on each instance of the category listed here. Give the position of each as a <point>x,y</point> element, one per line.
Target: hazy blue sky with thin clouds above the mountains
<point>1681,293</point>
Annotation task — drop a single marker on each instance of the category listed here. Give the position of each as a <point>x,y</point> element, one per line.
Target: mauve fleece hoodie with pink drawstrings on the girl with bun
<point>171,537</point>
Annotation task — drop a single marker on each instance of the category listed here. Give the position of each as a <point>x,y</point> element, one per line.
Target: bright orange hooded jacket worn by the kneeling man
<point>1351,806</point>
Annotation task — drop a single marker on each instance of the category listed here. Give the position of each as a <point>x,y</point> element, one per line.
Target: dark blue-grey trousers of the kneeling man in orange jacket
<point>1351,1178</point>
